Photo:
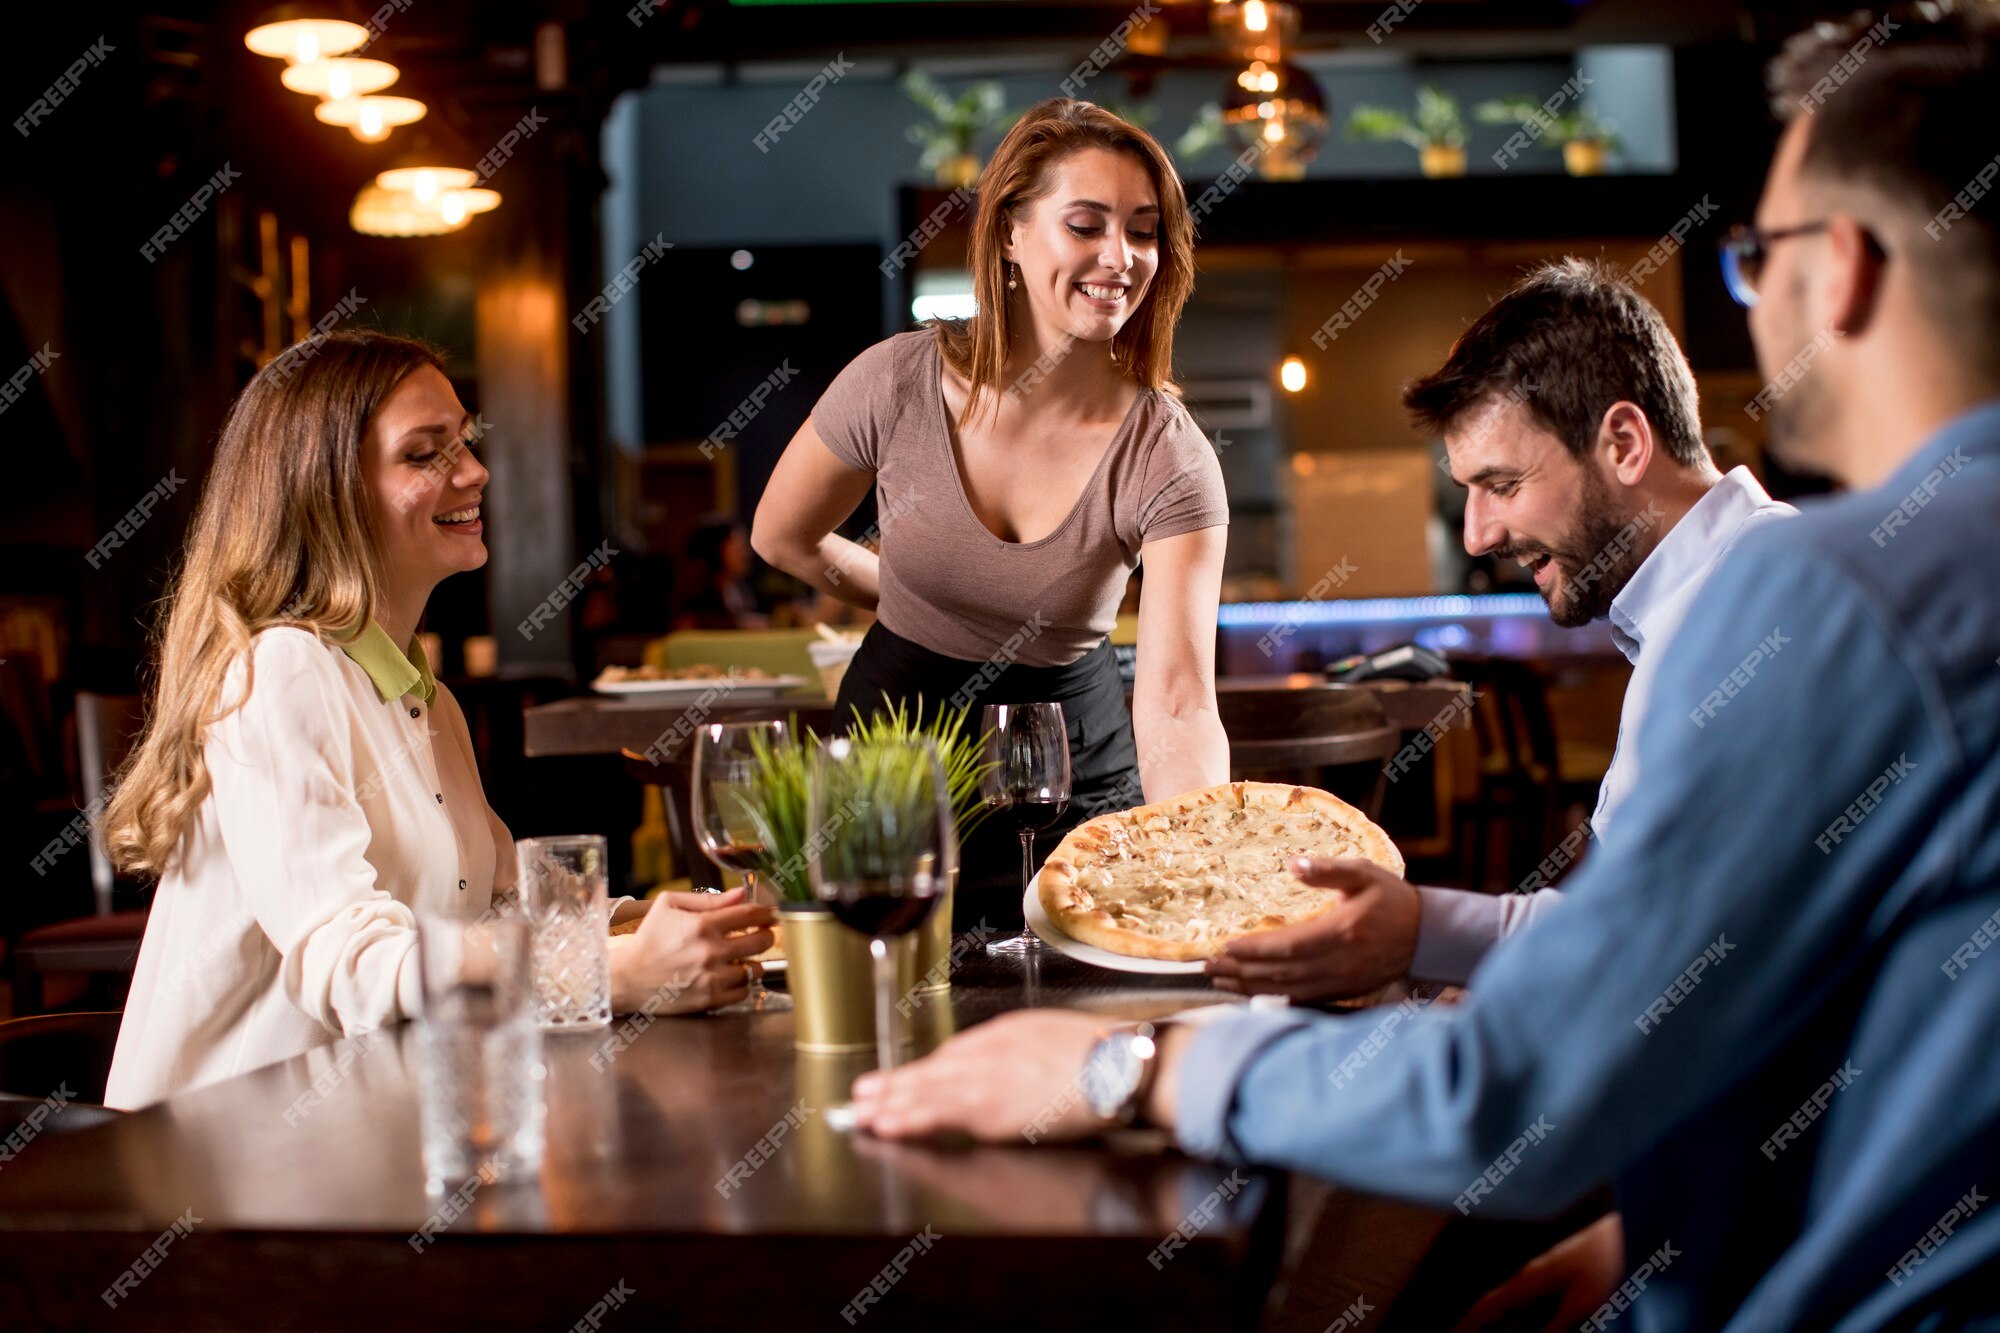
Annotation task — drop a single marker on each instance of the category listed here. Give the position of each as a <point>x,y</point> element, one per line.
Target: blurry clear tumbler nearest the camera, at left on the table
<point>481,1076</point>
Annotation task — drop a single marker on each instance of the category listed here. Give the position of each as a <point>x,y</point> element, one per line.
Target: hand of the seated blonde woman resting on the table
<point>691,954</point>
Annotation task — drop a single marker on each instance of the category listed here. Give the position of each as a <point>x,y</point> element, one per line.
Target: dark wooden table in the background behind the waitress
<point>605,726</point>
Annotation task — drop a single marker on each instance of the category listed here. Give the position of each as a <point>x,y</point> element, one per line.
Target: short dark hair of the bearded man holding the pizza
<point>1569,343</point>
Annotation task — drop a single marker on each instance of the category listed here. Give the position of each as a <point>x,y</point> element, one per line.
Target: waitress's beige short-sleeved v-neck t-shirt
<point>955,587</point>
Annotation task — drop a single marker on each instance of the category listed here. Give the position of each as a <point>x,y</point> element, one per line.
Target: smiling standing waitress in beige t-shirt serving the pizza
<point>1025,463</point>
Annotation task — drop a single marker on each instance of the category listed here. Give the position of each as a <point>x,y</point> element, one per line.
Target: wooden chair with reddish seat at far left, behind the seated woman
<point>101,946</point>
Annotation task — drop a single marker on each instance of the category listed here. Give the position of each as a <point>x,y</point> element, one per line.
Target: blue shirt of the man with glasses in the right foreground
<point>1767,1012</point>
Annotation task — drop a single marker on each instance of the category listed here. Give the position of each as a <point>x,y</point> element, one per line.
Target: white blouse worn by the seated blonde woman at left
<point>287,918</point>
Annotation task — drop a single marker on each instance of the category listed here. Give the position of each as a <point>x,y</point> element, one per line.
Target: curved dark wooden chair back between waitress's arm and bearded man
<point>1303,734</point>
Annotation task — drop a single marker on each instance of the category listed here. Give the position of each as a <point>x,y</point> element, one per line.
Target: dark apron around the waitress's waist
<point>1103,756</point>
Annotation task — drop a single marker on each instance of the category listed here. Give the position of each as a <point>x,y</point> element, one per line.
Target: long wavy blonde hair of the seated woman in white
<point>283,535</point>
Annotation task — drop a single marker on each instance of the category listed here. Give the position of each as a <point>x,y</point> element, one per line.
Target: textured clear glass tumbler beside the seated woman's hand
<point>563,888</point>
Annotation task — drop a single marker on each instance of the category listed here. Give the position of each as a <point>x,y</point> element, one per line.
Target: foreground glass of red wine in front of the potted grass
<point>883,850</point>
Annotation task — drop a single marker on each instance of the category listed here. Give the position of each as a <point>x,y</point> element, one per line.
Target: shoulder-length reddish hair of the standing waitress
<point>1019,175</point>
